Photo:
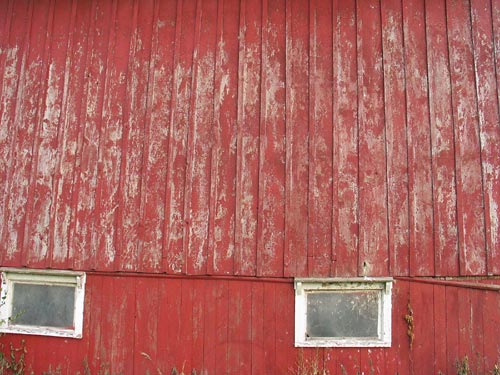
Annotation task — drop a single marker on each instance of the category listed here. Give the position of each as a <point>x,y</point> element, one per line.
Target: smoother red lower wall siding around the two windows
<point>135,324</point>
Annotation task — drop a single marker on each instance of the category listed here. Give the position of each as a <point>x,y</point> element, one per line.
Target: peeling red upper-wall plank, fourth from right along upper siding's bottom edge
<point>419,143</point>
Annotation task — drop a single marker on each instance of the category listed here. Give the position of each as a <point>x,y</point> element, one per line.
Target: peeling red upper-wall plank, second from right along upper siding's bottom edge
<point>471,230</point>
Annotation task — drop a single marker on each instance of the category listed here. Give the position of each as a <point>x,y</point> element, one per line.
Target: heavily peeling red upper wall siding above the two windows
<point>271,138</point>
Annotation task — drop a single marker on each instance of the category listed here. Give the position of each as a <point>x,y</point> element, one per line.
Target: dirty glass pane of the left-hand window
<point>43,305</point>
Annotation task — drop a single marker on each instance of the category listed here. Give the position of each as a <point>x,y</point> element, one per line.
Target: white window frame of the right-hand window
<point>303,286</point>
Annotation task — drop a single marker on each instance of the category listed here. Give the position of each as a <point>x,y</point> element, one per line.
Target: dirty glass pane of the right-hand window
<point>343,314</point>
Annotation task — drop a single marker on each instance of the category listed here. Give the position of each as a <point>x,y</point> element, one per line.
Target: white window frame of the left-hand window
<point>41,277</point>
